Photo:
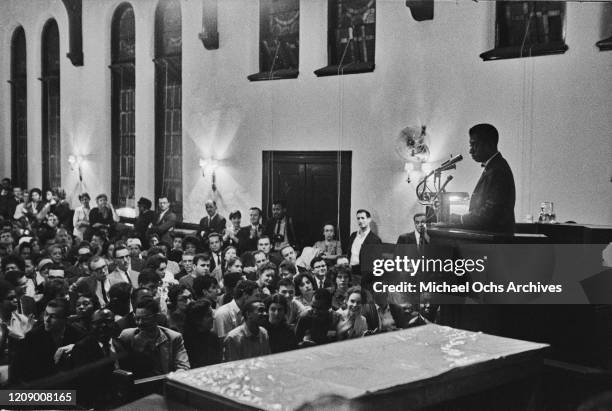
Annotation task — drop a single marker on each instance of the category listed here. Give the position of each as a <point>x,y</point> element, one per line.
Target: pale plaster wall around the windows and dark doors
<point>553,113</point>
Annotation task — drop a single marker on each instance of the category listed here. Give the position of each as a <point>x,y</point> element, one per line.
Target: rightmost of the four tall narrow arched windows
<point>168,93</point>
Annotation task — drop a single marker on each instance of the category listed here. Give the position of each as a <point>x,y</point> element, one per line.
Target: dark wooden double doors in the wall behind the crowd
<point>316,186</point>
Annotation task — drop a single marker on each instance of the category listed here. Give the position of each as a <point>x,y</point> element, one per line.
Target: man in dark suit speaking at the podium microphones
<point>492,202</point>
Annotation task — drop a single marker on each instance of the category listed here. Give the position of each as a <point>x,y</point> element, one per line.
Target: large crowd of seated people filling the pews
<point>79,288</point>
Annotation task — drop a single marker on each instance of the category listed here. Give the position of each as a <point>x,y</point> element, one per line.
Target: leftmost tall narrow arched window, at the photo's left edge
<point>19,112</point>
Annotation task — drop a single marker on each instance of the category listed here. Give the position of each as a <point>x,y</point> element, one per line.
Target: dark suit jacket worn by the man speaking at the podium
<point>492,202</point>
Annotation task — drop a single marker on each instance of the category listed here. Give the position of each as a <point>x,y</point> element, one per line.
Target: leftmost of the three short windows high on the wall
<point>279,40</point>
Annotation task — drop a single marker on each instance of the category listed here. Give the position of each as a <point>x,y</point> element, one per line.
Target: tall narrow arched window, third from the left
<point>123,41</point>
